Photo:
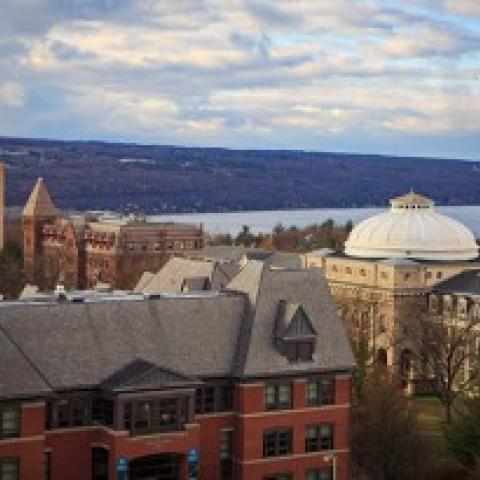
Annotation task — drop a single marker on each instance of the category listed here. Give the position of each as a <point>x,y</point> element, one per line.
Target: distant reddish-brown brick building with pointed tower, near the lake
<point>80,250</point>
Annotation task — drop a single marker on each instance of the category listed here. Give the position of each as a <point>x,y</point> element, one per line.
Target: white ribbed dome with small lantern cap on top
<point>412,229</point>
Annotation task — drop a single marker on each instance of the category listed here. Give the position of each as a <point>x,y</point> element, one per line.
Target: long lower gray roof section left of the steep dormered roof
<point>80,345</point>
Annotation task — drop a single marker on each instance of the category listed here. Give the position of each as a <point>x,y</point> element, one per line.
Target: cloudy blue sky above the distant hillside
<point>371,76</point>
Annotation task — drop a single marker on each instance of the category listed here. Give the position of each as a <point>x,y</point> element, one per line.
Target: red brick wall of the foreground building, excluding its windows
<point>71,448</point>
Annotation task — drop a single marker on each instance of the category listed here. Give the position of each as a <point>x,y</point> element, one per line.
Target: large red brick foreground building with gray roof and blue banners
<point>249,384</point>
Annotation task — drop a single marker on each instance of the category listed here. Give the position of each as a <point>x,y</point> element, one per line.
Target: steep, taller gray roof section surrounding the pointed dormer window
<point>257,355</point>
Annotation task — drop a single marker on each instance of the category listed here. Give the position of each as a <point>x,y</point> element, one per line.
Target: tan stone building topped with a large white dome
<point>393,262</point>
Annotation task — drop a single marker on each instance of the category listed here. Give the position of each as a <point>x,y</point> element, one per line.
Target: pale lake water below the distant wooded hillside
<point>264,221</point>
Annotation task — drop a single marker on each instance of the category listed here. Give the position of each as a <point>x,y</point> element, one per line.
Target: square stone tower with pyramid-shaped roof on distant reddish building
<point>38,211</point>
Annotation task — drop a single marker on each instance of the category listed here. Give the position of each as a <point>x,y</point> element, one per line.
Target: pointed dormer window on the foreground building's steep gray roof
<point>294,333</point>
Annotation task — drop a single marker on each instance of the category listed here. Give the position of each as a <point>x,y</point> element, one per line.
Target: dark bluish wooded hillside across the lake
<point>157,179</point>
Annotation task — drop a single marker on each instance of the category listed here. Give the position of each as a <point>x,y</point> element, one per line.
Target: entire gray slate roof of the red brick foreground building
<point>140,343</point>
